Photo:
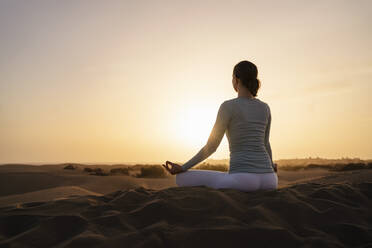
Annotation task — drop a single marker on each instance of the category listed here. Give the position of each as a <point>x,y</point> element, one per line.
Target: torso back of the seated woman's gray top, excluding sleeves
<point>248,135</point>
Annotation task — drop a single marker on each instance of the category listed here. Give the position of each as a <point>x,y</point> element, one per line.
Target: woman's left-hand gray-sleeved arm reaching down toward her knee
<point>214,140</point>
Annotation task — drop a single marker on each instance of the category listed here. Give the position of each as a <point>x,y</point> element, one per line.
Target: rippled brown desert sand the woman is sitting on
<point>50,207</point>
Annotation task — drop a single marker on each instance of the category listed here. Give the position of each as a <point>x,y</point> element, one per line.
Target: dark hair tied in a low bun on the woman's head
<point>247,73</point>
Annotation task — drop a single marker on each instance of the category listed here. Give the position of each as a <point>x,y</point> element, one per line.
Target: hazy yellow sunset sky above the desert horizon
<point>141,81</point>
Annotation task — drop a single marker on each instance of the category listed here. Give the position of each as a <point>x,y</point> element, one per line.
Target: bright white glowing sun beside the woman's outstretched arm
<point>194,124</point>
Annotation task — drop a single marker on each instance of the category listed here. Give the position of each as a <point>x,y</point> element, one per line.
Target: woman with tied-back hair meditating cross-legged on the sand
<point>246,121</point>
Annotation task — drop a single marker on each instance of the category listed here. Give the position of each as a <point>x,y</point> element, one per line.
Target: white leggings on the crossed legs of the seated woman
<point>242,181</point>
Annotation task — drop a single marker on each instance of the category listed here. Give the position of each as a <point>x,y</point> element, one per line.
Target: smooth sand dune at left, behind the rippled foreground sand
<point>27,179</point>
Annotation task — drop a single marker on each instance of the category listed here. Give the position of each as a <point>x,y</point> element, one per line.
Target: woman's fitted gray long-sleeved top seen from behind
<point>246,122</point>
